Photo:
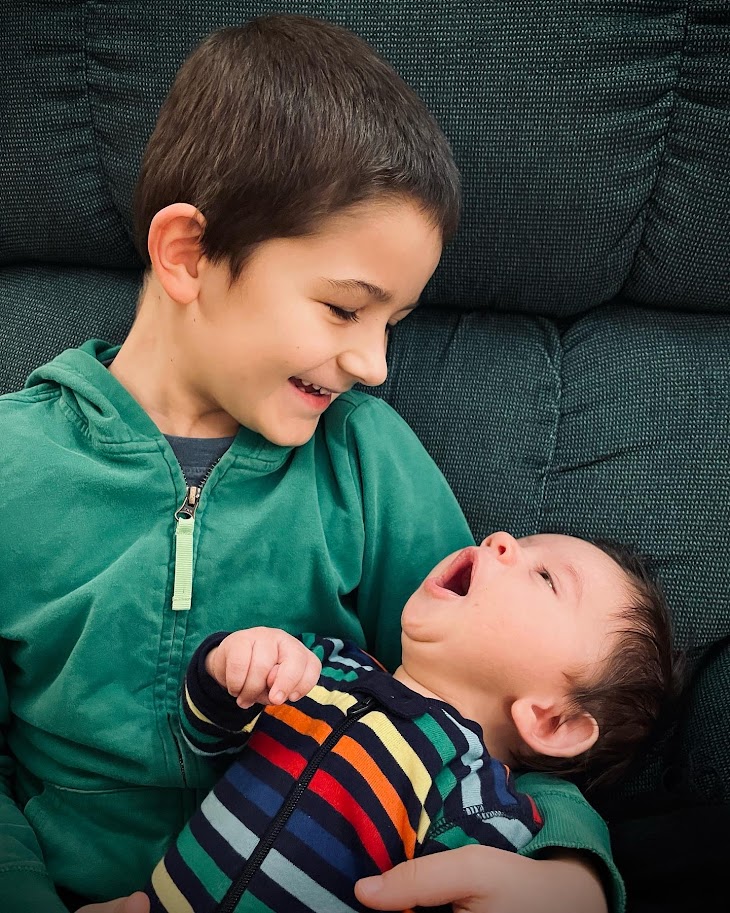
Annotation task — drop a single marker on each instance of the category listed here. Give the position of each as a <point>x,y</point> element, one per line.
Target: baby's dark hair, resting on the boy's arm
<point>633,687</point>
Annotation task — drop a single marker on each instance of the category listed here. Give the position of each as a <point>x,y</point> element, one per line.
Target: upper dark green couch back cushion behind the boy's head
<point>594,142</point>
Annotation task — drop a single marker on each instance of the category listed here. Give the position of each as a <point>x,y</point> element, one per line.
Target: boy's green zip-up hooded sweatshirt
<point>107,587</point>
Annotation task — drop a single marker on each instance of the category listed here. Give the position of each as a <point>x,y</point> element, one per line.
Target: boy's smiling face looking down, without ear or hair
<point>307,319</point>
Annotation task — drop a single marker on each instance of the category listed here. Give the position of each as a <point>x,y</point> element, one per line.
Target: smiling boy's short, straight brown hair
<point>273,126</point>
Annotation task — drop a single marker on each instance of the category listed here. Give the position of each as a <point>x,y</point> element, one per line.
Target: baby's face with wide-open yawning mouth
<point>511,617</point>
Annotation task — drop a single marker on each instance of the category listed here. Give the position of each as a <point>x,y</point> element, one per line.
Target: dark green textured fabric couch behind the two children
<point>572,369</point>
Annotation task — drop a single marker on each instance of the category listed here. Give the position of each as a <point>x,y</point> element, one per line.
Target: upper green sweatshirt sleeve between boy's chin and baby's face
<point>411,520</point>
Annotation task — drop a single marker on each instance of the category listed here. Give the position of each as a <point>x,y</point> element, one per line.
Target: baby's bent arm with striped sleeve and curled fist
<point>231,676</point>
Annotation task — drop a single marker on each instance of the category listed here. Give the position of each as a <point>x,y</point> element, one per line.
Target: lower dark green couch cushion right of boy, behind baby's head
<point>615,427</point>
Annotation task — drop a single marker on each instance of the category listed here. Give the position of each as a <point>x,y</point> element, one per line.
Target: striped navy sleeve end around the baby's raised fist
<point>210,719</point>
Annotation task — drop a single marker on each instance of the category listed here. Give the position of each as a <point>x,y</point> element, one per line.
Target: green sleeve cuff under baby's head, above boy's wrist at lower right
<point>572,824</point>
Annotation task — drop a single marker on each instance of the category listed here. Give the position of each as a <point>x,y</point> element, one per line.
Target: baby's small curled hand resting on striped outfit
<point>263,666</point>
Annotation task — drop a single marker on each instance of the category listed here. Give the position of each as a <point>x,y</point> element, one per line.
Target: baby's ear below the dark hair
<point>547,728</point>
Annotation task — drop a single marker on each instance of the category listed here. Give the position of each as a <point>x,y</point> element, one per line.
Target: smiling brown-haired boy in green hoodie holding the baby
<point>292,203</point>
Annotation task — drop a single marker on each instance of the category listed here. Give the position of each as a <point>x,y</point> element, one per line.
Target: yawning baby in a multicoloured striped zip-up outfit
<point>547,653</point>
